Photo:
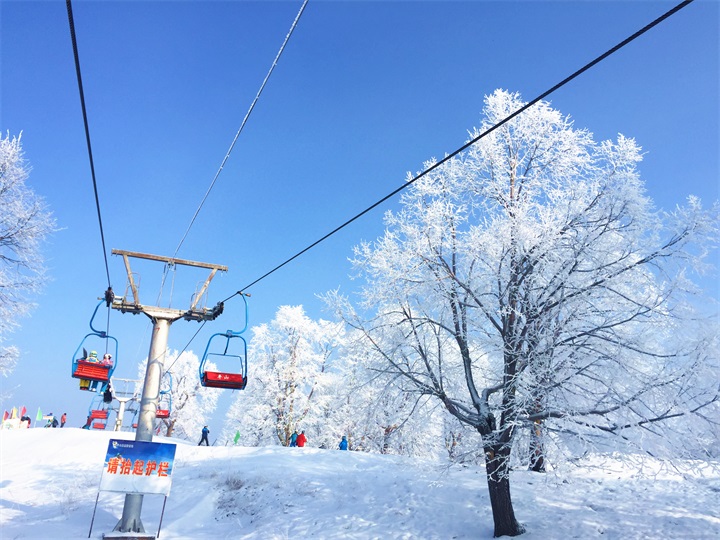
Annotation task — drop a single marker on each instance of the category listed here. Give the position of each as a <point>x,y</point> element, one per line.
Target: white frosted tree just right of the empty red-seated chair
<point>289,380</point>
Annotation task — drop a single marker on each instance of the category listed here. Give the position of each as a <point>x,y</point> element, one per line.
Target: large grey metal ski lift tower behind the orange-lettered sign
<point>162,318</point>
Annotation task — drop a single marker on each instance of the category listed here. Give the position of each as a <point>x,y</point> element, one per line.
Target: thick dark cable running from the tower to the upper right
<point>476,139</point>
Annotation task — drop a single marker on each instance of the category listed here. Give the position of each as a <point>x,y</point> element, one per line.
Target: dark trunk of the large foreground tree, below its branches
<point>497,461</point>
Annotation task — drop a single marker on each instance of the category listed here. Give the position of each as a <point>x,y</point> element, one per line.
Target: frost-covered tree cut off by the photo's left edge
<point>24,223</point>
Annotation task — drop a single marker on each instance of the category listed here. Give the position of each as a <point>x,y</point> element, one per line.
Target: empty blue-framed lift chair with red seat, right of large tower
<point>225,358</point>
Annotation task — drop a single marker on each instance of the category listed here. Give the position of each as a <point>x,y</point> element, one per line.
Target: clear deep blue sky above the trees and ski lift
<point>364,93</point>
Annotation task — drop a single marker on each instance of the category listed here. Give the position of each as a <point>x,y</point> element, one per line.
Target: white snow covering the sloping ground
<point>50,477</point>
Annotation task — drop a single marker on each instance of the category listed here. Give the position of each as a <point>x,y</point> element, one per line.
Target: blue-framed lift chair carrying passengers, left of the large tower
<point>94,373</point>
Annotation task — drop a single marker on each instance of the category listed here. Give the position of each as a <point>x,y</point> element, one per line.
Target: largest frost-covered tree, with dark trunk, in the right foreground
<point>530,284</point>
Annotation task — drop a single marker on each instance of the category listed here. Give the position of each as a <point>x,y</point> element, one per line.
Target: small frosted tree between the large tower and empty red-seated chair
<point>189,402</point>
